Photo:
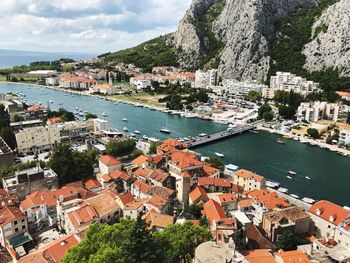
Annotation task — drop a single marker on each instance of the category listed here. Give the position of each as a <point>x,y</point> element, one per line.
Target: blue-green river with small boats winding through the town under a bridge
<point>329,172</point>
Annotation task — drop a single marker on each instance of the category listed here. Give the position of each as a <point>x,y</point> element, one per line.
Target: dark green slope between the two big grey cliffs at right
<point>292,33</point>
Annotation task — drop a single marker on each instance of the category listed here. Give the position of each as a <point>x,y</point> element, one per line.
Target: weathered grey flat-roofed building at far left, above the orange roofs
<point>29,181</point>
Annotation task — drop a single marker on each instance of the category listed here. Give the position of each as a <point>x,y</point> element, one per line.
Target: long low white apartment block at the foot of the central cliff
<point>233,87</point>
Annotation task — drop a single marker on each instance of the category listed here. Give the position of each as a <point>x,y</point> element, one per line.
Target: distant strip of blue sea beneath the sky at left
<point>10,58</point>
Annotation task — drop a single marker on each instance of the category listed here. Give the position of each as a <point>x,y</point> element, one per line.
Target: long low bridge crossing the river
<point>239,129</point>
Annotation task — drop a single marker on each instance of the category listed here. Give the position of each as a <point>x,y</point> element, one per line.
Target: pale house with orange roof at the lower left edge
<point>13,223</point>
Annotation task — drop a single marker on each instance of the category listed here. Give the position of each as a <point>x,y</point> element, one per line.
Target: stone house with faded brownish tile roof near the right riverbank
<point>294,219</point>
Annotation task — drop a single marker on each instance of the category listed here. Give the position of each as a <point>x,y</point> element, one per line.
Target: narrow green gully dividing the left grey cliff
<point>204,25</point>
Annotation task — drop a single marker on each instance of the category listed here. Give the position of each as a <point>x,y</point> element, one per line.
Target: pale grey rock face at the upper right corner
<point>330,48</point>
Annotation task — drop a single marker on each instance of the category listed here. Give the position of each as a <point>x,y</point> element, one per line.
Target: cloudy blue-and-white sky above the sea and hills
<point>85,26</point>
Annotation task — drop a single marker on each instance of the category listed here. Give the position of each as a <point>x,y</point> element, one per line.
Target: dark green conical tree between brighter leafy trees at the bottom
<point>140,245</point>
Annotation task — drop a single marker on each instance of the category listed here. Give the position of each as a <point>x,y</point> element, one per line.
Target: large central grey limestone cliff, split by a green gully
<point>244,26</point>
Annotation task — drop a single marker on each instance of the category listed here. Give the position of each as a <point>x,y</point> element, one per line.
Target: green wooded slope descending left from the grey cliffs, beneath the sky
<point>153,53</point>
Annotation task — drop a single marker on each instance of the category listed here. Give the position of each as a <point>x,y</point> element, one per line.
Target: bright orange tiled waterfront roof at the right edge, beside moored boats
<point>330,212</point>
